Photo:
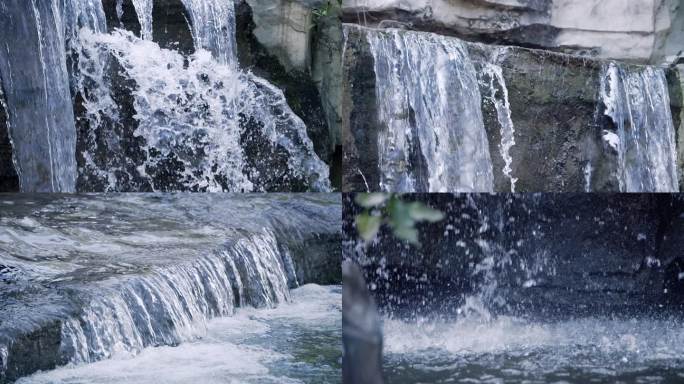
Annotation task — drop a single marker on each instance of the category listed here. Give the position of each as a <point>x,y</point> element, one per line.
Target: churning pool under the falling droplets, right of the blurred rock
<point>514,350</point>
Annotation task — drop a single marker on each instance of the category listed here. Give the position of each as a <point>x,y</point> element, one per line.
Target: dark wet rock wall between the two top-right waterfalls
<point>553,101</point>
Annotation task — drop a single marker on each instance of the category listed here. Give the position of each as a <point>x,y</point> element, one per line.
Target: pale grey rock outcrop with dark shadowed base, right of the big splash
<point>296,44</point>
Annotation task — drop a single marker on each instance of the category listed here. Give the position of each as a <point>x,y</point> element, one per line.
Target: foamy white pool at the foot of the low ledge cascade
<point>297,342</point>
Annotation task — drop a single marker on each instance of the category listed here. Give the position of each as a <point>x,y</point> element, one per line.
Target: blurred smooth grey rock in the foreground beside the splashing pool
<point>361,330</point>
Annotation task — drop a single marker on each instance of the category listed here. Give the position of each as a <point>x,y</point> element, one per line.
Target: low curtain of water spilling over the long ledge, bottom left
<point>171,304</point>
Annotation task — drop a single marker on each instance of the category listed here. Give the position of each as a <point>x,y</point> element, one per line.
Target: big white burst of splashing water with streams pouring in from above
<point>190,110</point>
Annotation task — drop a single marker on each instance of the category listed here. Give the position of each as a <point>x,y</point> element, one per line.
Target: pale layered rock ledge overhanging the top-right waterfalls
<point>639,30</point>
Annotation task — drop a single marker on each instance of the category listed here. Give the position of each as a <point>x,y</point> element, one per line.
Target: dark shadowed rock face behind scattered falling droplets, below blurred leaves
<point>547,255</point>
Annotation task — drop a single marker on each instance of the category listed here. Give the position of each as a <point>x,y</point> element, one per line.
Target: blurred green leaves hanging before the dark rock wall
<point>389,209</point>
